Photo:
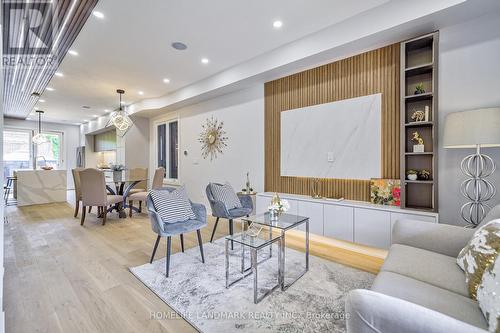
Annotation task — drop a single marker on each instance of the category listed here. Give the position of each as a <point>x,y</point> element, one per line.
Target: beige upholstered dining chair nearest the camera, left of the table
<point>93,191</point>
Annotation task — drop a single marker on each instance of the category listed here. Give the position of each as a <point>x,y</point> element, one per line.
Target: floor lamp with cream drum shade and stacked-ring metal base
<point>474,129</point>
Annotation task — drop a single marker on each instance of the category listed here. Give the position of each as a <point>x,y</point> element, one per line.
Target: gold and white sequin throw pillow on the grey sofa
<point>479,254</point>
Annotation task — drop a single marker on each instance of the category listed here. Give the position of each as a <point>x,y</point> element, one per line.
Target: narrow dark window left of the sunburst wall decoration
<point>167,148</point>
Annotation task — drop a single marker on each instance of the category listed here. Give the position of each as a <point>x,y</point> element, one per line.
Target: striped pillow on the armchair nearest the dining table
<point>172,206</point>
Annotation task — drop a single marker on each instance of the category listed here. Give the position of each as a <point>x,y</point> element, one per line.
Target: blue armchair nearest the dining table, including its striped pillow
<point>173,224</point>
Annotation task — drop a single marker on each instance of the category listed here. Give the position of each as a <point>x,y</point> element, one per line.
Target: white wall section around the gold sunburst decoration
<point>243,115</point>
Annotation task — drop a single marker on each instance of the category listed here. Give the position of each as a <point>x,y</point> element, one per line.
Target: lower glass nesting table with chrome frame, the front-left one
<point>254,244</point>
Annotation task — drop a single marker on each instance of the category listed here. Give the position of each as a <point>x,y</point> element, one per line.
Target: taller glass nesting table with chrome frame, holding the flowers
<point>282,223</point>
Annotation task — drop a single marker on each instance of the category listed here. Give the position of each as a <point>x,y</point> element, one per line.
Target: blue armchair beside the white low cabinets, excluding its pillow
<point>219,210</point>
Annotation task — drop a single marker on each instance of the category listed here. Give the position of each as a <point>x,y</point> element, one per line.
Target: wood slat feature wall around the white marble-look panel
<point>369,73</point>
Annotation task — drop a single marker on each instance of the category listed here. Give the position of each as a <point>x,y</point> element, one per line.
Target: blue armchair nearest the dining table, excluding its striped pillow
<point>163,229</point>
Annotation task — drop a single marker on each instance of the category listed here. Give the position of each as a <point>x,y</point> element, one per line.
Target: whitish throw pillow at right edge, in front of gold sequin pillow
<point>488,295</point>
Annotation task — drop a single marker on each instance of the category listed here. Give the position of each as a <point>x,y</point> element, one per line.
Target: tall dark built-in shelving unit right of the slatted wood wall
<point>419,67</point>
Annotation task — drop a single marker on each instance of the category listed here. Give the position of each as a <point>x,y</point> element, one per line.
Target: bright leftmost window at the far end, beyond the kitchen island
<point>17,150</point>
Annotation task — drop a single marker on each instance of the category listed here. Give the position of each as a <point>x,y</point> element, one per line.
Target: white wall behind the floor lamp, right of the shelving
<point>469,78</point>
